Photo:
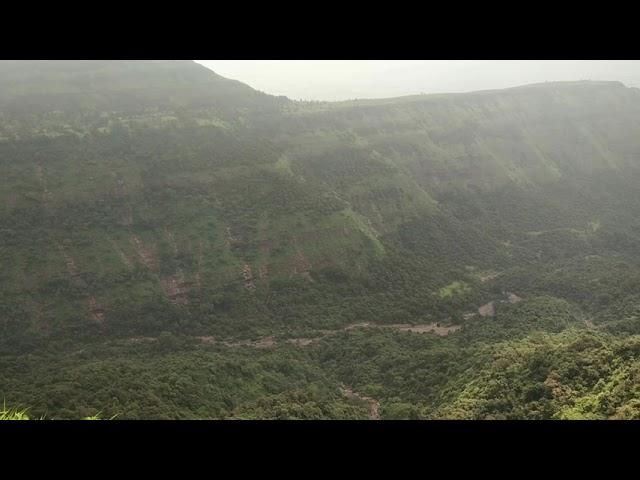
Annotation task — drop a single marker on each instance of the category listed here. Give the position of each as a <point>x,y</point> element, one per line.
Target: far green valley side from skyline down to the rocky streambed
<point>164,217</point>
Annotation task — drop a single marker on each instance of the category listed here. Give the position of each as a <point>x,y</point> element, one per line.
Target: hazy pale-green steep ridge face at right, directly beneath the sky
<point>525,136</point>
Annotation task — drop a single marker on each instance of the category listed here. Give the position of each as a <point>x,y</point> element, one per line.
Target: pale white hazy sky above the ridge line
<point>348,79</point>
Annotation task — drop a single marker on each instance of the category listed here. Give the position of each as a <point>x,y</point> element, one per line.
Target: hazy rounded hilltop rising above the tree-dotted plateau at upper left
<point>38,86</point>
